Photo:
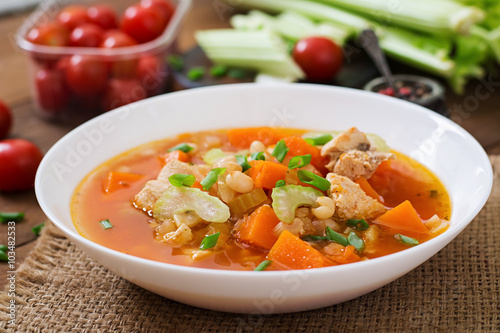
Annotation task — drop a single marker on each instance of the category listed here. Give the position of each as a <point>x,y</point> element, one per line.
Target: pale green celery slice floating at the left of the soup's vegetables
<point>179,200</point>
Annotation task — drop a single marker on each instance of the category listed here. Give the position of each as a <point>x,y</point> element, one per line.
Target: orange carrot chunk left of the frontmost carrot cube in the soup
<point>257,229</point>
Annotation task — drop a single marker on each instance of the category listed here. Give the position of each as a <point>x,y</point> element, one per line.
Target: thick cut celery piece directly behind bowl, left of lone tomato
<point>258,50</point>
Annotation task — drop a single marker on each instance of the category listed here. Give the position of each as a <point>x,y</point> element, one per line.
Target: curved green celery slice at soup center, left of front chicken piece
<point>286,199</point>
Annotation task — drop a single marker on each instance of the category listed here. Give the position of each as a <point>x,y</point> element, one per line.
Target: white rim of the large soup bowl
<point>447,236</point>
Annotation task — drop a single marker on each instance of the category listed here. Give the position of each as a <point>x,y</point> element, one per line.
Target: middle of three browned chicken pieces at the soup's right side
<point>356,163</point>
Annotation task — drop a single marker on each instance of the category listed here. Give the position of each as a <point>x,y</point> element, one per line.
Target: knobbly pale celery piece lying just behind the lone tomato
<point>290,25</point>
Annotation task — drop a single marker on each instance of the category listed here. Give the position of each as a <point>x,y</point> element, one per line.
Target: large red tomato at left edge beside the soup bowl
<point>19,160</point>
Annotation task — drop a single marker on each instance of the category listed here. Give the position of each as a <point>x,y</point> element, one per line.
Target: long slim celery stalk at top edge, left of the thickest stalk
<point>315,11</point>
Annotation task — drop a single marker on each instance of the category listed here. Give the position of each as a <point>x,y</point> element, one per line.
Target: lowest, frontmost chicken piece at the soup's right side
<point>351,202</point>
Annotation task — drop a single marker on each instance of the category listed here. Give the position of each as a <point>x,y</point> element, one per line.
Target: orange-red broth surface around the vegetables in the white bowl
<point>132,233</point>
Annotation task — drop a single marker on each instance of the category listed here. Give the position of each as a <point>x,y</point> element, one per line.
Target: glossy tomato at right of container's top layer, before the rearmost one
<point>143,24</point>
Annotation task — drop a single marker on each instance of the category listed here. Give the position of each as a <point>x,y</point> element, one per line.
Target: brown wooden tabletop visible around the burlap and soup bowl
<point>478,111</point>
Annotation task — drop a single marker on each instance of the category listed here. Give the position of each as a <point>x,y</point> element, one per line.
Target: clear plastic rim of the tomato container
<point>159,43</point>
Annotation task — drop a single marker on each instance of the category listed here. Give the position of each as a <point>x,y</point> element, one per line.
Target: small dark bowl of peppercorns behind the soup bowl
<point>417,89</point>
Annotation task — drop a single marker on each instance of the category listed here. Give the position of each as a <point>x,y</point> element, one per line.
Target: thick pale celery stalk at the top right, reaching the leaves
<point>435,17</point>
